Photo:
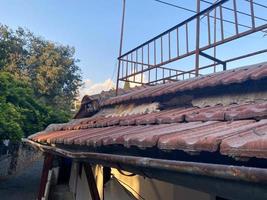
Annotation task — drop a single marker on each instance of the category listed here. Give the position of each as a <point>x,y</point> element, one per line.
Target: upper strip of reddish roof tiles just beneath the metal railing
<point>235,76</point>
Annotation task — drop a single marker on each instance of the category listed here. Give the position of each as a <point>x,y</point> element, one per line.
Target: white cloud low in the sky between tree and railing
<point>91,88</point>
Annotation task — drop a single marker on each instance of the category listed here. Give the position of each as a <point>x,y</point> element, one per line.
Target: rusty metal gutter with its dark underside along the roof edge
<point>229,182</point>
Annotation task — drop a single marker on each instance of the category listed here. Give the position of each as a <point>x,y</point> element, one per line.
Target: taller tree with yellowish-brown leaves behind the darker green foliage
<point>50,68</point>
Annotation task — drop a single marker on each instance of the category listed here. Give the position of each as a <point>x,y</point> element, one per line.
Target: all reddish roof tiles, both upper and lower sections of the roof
<point>234,130</point>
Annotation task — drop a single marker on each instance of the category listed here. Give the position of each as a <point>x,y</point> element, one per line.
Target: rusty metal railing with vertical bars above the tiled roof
<point>147,63</point>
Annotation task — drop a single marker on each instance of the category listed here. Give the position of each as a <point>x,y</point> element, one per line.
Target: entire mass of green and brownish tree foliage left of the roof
<point>39,80</point>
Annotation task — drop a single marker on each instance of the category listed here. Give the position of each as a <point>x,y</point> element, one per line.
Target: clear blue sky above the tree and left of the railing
<point>93,26</point>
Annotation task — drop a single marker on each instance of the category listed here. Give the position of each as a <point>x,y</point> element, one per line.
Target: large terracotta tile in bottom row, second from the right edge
<point>206,138</point>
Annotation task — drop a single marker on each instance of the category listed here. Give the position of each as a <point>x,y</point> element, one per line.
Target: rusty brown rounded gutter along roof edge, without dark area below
<point>235,173</point>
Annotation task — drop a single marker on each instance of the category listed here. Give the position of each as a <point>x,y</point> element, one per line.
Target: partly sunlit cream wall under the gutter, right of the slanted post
<point>146,188</point>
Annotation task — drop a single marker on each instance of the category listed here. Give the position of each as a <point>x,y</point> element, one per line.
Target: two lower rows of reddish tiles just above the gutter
<point>232,130</point>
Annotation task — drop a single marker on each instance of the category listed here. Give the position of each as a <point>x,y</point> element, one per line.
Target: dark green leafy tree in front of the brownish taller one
<point>20,113</point>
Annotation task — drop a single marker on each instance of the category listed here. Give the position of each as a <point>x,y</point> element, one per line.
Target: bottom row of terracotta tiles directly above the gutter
<point>244,138</point>
